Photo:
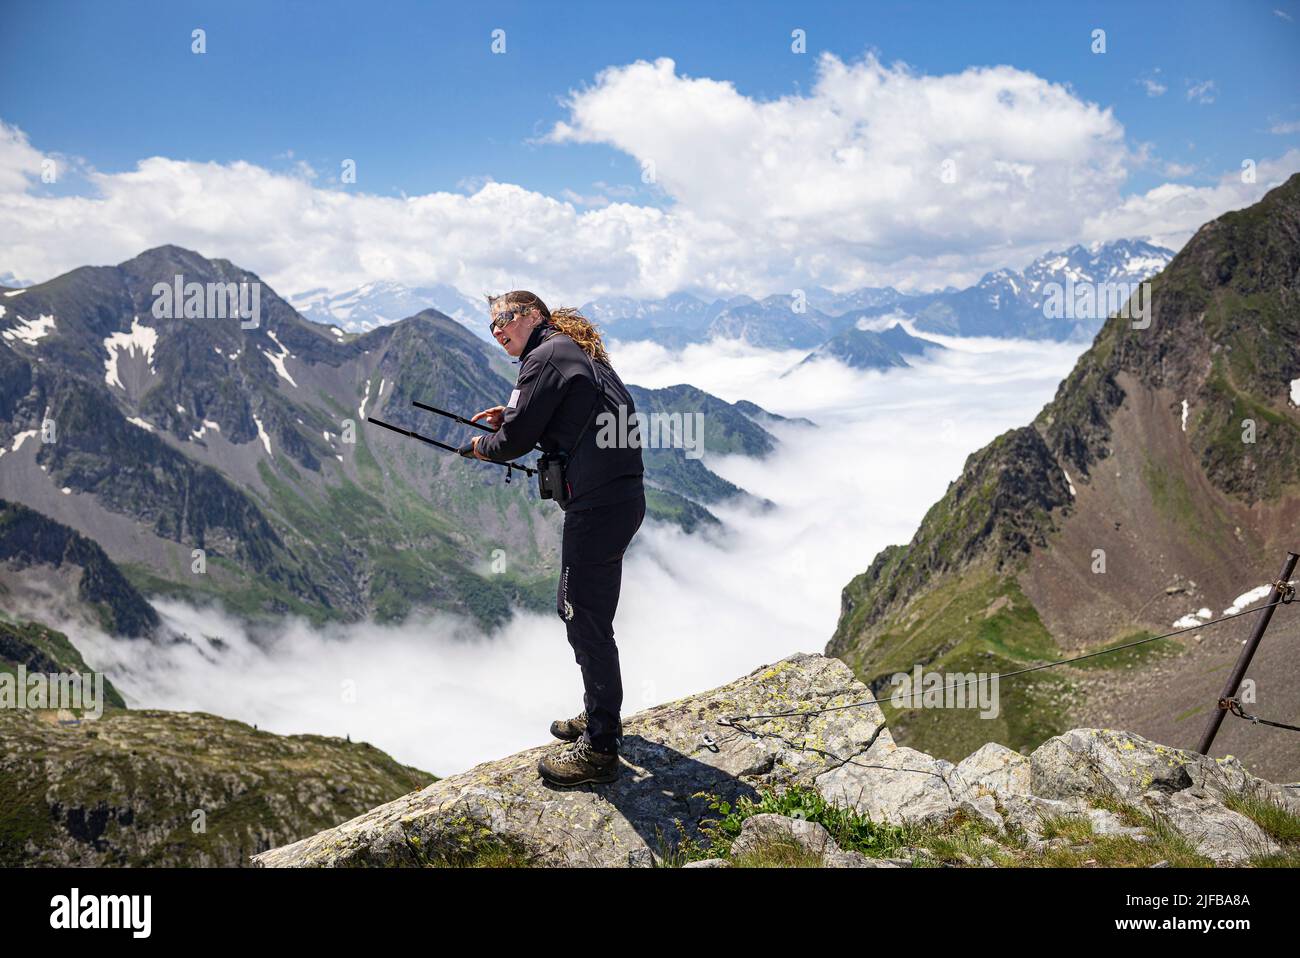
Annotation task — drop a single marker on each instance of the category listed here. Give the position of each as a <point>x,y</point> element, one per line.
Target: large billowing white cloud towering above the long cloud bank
<point>856,170</point>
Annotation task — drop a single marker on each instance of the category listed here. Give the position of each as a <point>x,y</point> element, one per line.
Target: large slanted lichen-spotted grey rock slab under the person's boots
<point>668,770</point>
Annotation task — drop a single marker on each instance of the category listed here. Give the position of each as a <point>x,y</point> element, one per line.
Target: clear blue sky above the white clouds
<point>413,92</point>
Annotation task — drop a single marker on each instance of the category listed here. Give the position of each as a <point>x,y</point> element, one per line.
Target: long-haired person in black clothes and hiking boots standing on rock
<point>565,380</point>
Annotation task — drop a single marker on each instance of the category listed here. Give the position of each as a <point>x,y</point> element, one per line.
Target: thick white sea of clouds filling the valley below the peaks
<point>696,612</point>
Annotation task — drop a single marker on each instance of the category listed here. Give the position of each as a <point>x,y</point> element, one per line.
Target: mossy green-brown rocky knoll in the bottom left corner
<point>167,790</point>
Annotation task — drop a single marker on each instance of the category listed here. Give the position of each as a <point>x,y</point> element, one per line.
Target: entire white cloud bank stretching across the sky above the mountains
<point>878,175</point>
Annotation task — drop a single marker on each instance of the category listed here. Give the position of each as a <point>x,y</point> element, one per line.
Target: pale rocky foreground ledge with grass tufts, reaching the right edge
<point>703,792</point>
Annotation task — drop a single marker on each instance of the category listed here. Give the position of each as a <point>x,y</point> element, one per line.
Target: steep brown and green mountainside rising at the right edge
<point>1160,485</point>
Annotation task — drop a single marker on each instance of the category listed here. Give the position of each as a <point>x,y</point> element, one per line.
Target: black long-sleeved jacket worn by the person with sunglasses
<point>553,398</point>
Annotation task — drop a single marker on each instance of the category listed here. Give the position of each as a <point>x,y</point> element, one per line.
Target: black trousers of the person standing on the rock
<point>591,576</point>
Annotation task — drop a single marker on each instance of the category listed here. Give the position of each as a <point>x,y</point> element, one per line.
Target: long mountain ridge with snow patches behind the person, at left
<point>216,458</point>
